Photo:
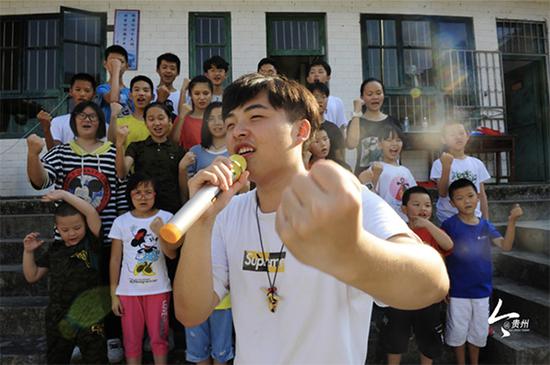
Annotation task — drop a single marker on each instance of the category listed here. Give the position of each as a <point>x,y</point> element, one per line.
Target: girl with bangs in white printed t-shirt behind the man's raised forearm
<point>387,177</point>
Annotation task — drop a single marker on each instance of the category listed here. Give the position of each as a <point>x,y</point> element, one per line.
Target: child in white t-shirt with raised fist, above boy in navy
<point>454,165</point>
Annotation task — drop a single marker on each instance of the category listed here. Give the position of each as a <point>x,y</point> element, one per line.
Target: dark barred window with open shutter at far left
<point>38,56</point>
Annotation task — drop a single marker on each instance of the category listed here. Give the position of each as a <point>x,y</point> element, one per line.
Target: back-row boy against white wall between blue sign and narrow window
<point>168,68</point>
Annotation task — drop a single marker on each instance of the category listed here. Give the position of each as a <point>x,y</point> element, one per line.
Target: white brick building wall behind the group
<point>164,27</point>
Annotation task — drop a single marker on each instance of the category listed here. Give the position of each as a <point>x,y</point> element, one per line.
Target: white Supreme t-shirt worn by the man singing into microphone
<point>319,320</point>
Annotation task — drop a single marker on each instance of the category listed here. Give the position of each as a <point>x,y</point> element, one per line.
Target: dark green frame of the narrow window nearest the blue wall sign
<point>226,16</point>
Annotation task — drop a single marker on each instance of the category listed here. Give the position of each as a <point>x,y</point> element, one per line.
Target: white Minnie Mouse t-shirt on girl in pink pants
<point>143,270</point>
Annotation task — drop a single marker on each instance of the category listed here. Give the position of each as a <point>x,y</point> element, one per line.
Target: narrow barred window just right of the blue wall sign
<point>209,35</point>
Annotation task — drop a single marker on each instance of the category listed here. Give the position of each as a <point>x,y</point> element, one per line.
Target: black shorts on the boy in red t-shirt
<point>427,327</point>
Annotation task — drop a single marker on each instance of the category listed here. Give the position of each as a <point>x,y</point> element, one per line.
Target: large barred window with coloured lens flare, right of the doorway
<point>418,58</point>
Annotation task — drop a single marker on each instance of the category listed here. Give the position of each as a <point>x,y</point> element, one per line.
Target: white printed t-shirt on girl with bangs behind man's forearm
<point>393,182</point>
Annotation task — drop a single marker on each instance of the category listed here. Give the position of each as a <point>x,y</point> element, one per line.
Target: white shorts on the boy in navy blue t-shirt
<point>467,321</point>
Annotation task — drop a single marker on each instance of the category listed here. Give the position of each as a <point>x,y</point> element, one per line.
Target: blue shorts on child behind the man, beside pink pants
<point>213,338</point>
